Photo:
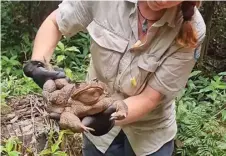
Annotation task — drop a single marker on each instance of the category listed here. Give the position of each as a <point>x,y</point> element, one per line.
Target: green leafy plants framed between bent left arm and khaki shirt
<point>73,55</point>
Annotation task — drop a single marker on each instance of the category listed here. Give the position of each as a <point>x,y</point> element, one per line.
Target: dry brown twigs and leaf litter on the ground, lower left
<point>27,119</point>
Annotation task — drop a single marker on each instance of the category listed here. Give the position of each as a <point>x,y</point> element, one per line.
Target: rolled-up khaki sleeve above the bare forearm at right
<point>173,73</point>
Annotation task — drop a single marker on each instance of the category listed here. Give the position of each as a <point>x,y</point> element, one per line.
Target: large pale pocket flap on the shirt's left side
<point>106,38</point>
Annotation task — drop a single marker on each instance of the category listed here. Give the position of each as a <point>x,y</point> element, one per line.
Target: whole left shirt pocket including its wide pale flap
<point>107,48</point>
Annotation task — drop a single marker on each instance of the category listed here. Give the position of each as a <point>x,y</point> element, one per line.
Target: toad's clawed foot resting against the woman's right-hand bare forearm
<point>121,110</point>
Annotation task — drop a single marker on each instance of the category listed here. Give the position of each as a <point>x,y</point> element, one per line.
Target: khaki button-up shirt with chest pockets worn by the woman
<point>157,61</point>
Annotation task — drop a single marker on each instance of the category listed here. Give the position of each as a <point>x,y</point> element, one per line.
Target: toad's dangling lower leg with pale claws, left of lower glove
<point>69,121</point>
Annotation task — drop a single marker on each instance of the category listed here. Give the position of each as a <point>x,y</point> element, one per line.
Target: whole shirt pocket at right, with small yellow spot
<point>140,70</point>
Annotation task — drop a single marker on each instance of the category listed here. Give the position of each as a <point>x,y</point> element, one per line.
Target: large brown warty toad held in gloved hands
<point>72,102</point>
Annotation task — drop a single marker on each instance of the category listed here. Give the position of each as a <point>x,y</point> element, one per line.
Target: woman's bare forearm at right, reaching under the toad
<point>140,105</point>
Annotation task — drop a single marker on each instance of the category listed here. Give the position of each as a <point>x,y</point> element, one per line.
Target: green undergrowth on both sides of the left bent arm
<point>71,55</point>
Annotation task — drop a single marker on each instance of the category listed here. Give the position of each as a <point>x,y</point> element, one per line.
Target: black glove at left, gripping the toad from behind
<point>37,71</point>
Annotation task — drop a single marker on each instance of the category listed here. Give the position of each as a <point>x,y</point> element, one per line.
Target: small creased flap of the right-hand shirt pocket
<point>148,62</point>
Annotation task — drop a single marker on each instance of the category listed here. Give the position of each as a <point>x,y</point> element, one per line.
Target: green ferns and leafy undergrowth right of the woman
<point>201,117</point>
